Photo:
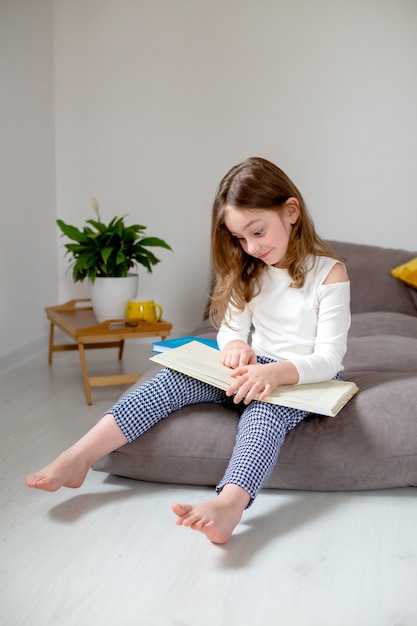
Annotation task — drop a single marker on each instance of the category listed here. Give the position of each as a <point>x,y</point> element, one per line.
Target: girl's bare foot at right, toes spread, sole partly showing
<point>217,518</point>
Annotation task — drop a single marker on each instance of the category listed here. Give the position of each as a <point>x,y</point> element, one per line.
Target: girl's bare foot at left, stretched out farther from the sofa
<point>65,471</point>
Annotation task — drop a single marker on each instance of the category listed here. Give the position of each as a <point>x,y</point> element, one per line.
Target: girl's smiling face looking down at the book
<point>263,234</point>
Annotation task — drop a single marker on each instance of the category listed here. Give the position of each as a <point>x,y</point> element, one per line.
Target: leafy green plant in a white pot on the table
<point>104,254</point>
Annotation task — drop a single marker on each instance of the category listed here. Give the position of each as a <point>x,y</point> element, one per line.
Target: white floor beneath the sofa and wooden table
<point>110,553</point>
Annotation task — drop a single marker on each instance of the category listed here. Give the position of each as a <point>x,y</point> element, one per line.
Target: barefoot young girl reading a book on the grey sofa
<point>281,306</point>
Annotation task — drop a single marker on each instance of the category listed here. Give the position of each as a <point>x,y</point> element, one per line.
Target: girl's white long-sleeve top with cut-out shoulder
<point>307,326</point>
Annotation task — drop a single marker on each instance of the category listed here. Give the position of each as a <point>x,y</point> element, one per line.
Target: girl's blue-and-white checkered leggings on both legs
<point>261,431</point>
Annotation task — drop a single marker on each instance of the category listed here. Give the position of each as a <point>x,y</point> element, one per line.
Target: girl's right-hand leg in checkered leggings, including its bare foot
<point>262,429</point>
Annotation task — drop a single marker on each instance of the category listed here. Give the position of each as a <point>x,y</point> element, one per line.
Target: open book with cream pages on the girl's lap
<point>203,363</point>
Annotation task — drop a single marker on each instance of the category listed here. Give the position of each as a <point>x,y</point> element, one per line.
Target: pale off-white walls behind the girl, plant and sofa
<point>156,99</point>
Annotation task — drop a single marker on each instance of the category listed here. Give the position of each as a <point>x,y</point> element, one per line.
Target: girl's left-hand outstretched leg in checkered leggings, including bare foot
<point>133,415</point>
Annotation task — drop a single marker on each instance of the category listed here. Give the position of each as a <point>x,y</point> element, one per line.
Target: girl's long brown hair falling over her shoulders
<point>256,184</point>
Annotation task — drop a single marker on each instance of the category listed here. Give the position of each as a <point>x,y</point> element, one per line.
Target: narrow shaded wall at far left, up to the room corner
<point>28,243</point>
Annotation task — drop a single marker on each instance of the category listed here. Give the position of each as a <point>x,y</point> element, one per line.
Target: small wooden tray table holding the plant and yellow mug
<point>77,320</point>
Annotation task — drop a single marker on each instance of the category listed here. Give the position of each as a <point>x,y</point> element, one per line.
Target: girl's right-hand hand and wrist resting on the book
<point>260,380</point>
